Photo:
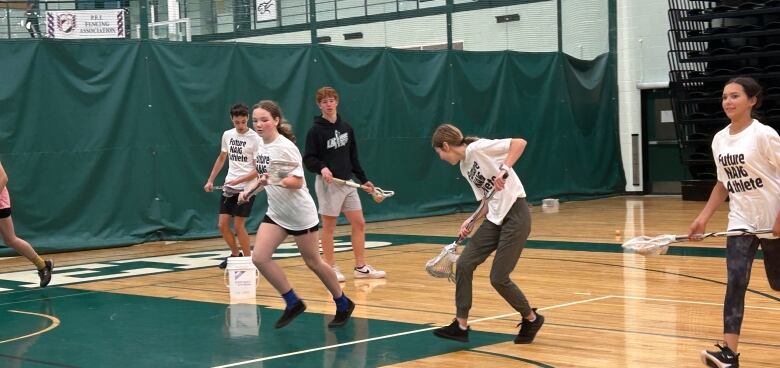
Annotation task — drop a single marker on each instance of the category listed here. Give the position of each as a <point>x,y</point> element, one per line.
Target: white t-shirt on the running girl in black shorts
<point>292,209</point>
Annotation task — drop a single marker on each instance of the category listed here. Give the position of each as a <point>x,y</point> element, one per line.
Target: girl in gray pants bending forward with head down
<point>485,163</point>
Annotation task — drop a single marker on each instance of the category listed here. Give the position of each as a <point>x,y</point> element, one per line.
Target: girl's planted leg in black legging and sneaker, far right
<point>740,252</point>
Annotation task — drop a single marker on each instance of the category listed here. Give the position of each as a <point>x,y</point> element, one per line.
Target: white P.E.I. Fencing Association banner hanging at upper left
<point>86,23</point>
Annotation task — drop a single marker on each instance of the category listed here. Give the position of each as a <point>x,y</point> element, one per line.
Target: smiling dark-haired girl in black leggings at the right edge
<point>747,157</point>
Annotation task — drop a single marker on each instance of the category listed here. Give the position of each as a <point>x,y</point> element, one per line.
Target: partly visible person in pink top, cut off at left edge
<point>18,244</point>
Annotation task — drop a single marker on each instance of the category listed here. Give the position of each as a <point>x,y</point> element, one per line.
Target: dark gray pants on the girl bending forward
<point>507,241</point>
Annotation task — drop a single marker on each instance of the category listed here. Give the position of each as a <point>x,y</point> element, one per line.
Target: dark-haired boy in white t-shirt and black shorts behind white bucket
<point>239,146</point>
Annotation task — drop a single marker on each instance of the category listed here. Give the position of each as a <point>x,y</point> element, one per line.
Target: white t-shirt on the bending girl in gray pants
<point>481,166</point>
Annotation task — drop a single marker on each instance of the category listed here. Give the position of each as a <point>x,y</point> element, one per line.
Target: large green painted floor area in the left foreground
<point>104,329</point>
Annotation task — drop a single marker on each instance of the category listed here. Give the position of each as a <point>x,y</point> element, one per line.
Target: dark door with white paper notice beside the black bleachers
<point>663,167</point>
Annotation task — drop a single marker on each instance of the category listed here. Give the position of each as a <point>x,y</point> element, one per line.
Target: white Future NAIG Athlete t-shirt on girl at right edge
<point>748,165</point>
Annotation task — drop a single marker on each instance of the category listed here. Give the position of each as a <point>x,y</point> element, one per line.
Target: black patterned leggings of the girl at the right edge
<point>740,251</point>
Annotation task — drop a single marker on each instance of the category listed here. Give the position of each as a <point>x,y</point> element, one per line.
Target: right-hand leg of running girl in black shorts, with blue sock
<point>307,245</point>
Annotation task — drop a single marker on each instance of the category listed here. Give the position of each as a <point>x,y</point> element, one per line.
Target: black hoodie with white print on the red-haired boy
<point>333,145</point>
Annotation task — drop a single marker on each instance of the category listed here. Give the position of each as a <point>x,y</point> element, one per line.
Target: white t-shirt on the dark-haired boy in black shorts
<point>241,150</point>
